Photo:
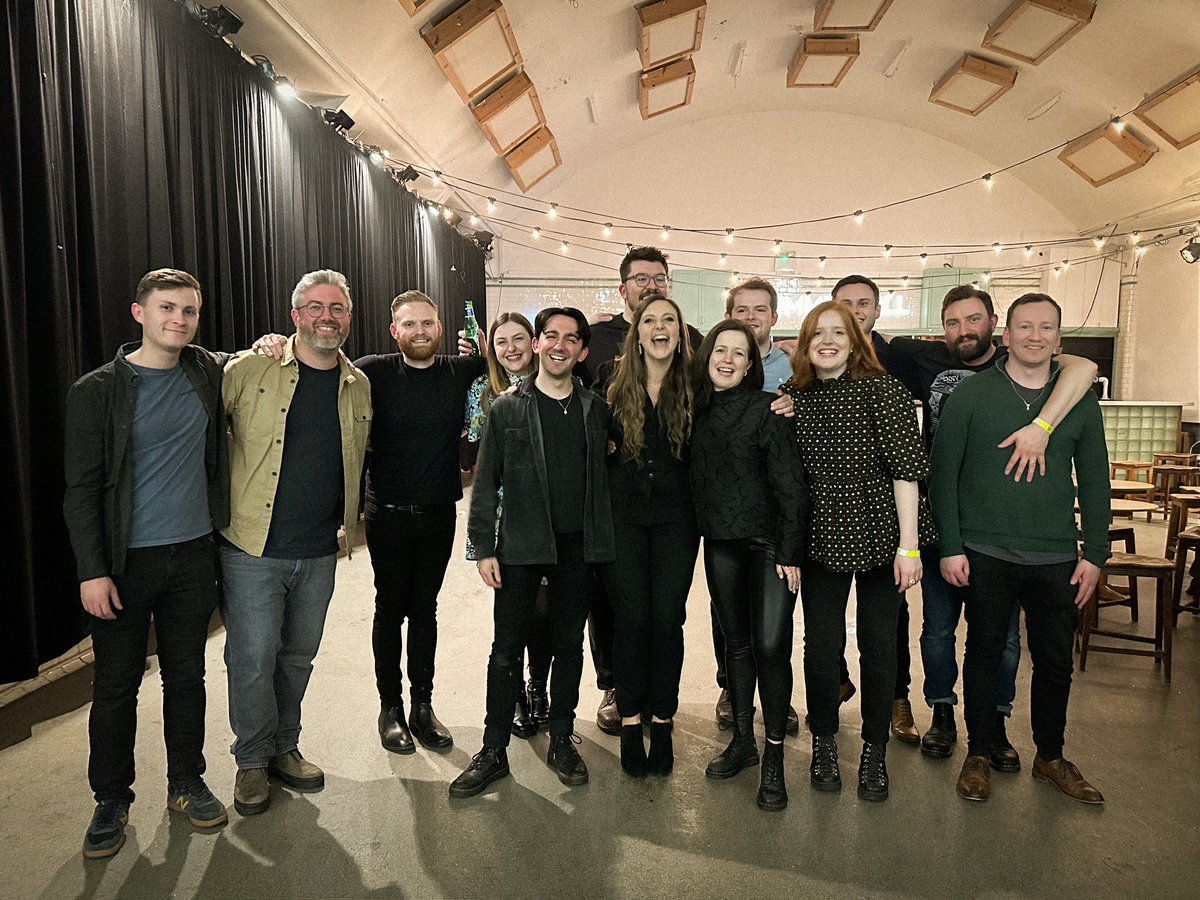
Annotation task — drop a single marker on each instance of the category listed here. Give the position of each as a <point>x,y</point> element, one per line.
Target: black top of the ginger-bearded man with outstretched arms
<point>416,428</point>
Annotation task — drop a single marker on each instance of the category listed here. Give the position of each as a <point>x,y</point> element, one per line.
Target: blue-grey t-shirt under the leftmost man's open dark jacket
<point>171,487</point>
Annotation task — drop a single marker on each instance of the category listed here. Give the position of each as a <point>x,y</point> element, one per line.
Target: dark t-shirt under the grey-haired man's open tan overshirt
<point>309,497</point>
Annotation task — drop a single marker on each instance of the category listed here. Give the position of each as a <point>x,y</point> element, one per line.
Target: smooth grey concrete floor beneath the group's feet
<point>385,826</point>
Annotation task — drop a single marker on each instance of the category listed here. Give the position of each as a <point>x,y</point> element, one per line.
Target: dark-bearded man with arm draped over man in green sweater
<point>969,322</point>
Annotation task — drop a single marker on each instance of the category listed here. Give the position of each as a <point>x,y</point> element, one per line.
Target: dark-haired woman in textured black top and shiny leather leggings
<point>752,505</point>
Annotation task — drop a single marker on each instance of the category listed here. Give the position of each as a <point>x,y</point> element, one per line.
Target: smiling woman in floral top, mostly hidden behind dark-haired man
<point>509,361</point>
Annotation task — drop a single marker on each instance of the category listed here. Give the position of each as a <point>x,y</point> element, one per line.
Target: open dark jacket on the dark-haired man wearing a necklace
<point>512,454</point>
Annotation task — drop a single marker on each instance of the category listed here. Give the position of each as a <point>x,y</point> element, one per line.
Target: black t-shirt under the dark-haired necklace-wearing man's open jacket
<point>566,446</point>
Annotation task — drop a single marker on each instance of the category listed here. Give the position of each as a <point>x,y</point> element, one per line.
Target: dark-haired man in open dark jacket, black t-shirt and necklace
<point>545,445</point>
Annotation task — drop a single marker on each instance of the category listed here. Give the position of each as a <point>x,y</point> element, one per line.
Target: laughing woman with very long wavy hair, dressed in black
<point>657,541</point>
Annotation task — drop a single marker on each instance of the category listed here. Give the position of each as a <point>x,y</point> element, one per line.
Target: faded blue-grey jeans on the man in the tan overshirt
<point>274,613</point>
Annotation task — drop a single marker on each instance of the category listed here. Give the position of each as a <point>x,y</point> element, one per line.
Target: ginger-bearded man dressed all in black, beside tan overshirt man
<point>412,488</point>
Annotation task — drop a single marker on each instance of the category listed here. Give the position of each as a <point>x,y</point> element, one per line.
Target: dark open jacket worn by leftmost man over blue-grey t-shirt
<point>99,501</point>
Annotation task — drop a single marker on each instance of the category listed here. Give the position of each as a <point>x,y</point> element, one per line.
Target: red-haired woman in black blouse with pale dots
<point>863,458</point>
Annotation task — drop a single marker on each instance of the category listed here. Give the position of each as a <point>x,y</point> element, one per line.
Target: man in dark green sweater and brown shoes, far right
<point>1015,542</point>
